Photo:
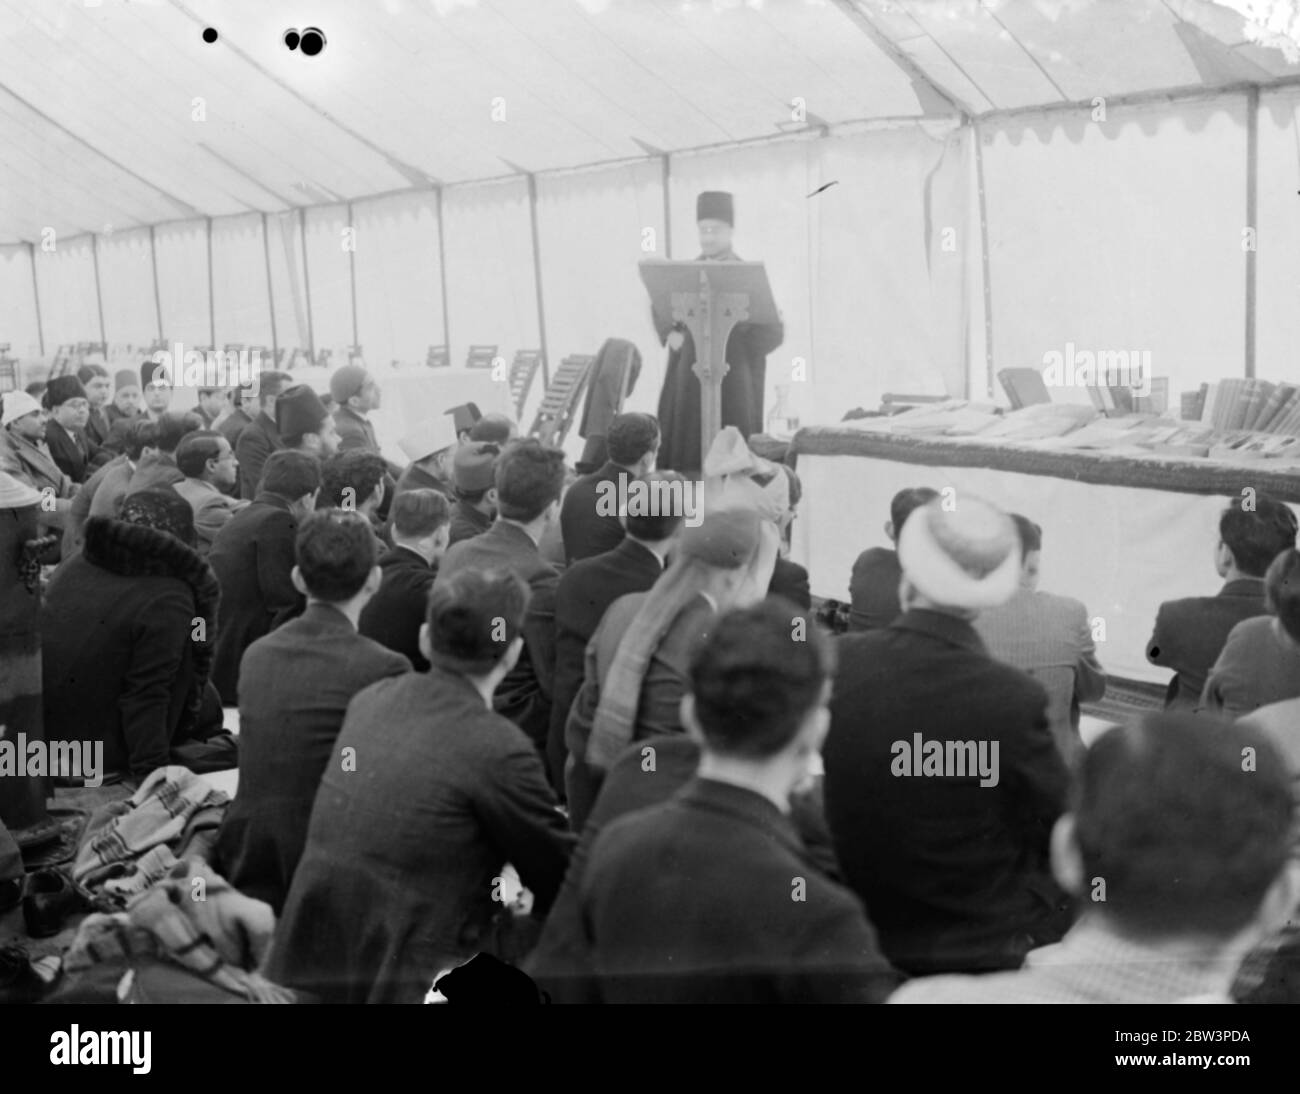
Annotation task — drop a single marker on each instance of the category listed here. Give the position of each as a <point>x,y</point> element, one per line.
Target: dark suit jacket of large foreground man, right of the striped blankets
<point>397,880</point>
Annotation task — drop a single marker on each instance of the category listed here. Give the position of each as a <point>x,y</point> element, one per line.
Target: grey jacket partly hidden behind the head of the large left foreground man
<point>525,696</point>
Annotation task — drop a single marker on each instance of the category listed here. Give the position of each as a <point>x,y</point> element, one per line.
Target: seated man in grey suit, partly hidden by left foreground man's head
<point>530,477</point>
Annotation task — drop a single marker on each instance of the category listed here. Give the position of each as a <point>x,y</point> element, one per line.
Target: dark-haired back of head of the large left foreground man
<point>474,618</point>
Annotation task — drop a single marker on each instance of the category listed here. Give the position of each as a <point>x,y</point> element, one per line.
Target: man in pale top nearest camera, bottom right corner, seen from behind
<point>1177,849</point>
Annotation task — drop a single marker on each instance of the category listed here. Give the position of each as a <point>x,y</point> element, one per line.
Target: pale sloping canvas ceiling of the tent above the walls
<point>99,120</point>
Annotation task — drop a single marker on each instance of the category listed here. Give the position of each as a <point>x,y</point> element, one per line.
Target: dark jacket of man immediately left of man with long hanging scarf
<point>584,593</point>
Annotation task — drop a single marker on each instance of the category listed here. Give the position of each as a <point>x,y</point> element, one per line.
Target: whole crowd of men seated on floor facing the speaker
<point>474,662</point>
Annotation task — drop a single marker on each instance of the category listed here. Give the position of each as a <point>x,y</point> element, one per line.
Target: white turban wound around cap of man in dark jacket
<point>967,558</point>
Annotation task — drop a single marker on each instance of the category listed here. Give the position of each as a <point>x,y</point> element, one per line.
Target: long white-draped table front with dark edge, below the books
<point>1120,533</point>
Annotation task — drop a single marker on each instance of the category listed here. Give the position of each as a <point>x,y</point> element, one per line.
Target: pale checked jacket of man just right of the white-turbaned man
<point>1050,639</point>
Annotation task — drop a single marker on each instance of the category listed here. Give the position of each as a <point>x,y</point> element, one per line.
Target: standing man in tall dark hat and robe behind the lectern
<point>747,355</point>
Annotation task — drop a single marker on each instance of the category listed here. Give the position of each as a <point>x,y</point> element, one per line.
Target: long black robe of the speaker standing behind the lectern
<point>742,396</point>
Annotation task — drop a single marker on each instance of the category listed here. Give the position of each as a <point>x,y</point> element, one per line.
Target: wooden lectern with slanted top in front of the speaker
<point>709,298</point>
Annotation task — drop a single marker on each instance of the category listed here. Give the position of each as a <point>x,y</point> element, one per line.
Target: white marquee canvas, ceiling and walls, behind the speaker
<point>939,188</point>
